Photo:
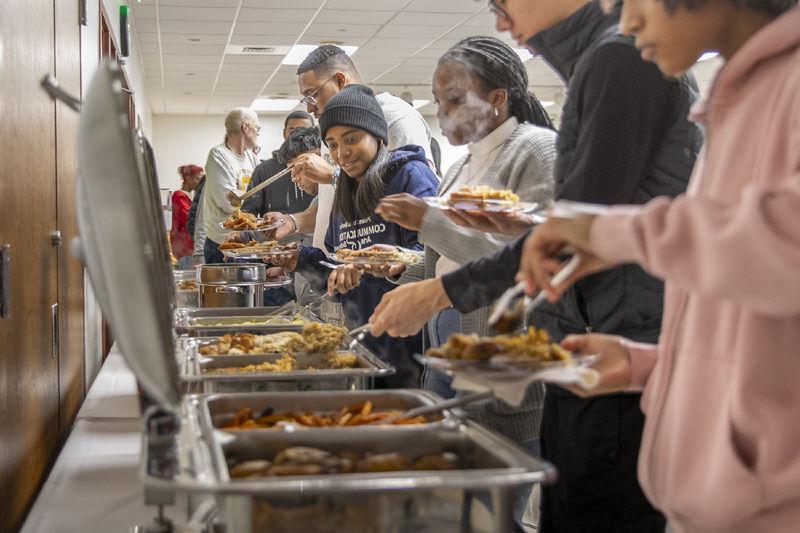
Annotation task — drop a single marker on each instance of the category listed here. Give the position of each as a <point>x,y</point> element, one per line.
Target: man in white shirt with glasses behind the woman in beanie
<point>326,71</point>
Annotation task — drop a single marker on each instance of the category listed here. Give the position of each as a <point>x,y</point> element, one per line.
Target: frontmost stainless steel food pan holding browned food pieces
<point>490,468</point>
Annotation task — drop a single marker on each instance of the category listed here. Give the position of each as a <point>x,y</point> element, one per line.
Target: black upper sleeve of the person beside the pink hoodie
<point>624,107</point>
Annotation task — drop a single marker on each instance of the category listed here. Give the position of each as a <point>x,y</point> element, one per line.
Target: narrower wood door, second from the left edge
<point>72,362</point>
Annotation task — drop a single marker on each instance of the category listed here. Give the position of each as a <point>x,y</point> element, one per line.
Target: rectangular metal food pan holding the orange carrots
<point>219,409</point>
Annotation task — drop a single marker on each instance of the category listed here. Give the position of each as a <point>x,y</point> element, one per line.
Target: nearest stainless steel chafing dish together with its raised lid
<point>126,254</point>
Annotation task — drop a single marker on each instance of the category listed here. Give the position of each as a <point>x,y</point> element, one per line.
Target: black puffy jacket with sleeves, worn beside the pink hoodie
<point>624,139</point>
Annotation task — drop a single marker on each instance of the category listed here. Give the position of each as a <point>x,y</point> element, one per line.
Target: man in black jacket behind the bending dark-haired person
<point>282,196</point>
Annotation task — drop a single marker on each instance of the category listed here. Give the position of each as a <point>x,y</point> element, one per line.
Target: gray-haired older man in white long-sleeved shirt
<point>228,168</point>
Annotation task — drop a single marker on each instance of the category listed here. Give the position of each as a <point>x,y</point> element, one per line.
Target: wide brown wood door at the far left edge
<point>29,398</point>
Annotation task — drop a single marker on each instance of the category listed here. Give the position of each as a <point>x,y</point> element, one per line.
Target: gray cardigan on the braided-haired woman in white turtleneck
<point>525,166</point>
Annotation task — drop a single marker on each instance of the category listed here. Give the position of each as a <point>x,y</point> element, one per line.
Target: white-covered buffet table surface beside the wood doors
<point>95,484</point>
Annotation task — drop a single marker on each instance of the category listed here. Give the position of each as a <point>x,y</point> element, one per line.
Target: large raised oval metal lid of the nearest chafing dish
<point>123,236</point>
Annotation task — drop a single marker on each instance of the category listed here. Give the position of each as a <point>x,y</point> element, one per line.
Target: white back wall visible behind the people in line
<point>181,139</point>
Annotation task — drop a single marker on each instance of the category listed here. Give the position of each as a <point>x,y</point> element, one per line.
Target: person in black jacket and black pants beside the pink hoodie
<point>624,139</point>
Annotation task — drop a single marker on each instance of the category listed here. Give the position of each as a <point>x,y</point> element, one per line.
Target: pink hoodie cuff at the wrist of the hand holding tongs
<point>612,234</point>
